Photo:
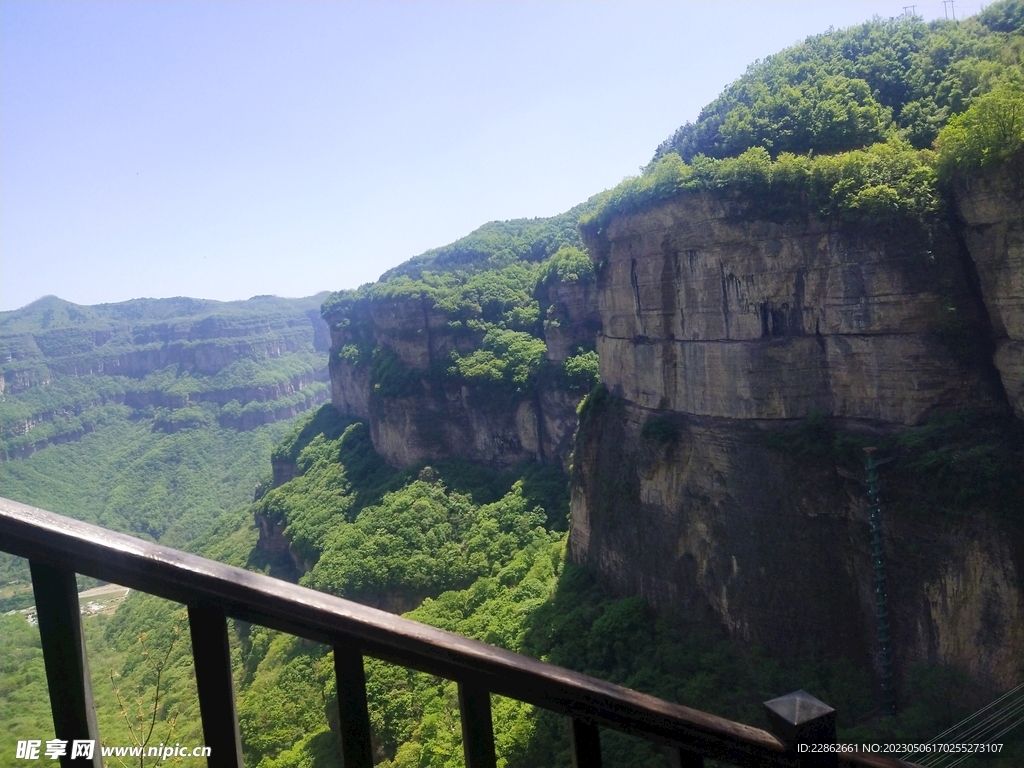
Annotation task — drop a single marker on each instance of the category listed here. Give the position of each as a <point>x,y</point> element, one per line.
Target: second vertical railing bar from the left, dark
<point>212,656</point>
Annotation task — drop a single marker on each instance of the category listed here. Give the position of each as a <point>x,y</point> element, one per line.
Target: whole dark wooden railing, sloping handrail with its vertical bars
<point>58,548</point>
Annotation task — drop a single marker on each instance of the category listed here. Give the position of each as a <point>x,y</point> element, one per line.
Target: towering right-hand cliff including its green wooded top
<point>764,320</point>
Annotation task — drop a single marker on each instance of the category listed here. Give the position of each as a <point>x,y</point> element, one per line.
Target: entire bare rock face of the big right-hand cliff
<point>719,329</point>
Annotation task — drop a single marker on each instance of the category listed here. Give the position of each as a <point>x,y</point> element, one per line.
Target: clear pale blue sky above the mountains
<point>225,150</point>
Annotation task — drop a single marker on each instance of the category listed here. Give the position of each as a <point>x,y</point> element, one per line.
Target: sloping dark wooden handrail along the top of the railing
<point>208,586</point>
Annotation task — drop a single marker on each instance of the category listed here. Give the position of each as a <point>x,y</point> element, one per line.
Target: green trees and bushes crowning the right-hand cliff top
<point>840,125</point>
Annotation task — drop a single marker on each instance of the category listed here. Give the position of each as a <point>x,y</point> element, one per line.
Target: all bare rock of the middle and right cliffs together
<point>720,331</point>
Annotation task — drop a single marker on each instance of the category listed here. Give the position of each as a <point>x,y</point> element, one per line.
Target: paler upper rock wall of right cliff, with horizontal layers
<point>709,311</point>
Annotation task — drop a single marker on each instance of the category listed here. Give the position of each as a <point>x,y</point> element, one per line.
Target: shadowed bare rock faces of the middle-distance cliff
<point>436,419</point>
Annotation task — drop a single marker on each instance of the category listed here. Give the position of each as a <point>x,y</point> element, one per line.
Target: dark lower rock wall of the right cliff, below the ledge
<point>778,550</point>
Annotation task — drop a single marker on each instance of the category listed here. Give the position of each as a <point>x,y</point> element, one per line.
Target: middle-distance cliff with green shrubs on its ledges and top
<point>485,359</point>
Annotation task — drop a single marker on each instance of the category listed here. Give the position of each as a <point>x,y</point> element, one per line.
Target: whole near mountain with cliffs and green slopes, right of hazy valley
<point>630,440</point>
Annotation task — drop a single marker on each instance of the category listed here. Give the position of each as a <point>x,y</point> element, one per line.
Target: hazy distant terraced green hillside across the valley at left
<point>152,416</point>
